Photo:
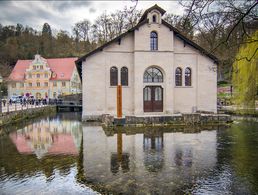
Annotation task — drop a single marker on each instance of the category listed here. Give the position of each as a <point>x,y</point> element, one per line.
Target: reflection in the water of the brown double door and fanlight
<point>153,151</point>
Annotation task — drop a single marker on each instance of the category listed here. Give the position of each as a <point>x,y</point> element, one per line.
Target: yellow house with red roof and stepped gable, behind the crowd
<point>44,77</point>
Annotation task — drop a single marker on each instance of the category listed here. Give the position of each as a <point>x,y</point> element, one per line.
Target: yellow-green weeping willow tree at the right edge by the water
<point>245,75</point>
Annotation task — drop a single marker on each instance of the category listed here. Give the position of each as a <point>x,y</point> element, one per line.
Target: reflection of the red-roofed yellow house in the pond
<point>48,137</point>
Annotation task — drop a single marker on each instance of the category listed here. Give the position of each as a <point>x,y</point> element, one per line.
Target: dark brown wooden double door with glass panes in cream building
<point>153,99</point>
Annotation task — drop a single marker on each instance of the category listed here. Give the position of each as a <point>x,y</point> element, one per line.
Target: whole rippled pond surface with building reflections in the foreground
<point>60,155</point>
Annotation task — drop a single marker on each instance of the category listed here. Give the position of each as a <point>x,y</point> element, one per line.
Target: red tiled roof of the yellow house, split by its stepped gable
<point>63,67</point>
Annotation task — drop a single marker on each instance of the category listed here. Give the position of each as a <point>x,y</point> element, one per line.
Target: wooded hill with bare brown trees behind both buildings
<point>219,27</point>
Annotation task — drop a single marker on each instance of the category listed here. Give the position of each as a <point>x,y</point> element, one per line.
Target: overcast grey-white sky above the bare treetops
<point>64,14</point>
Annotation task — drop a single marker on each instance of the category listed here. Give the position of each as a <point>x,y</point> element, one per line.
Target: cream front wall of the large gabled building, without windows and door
<point>134,53</point>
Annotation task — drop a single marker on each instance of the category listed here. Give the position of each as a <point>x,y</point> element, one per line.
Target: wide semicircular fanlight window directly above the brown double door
<point>153,75</point>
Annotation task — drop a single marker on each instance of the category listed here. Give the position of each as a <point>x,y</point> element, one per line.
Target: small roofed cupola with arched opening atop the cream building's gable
<point>153,14</point>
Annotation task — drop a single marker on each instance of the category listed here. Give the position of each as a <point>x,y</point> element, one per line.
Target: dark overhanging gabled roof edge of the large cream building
<point>142,21</point>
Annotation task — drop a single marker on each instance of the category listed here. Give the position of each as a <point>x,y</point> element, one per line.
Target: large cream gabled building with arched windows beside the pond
<point>160,70</point>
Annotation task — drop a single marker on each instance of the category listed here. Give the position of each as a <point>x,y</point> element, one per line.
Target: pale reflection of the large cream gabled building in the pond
<point>153,162</point>
